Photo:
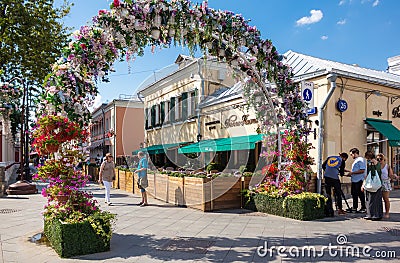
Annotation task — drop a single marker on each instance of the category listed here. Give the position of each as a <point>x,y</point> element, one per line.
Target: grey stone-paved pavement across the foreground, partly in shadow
<point>161,232</point>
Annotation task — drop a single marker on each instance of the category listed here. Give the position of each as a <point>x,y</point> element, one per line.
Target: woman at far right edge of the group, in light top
<point>387,174</point>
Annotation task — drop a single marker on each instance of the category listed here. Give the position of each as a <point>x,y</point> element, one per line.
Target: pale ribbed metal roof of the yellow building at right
<point>305,66</point>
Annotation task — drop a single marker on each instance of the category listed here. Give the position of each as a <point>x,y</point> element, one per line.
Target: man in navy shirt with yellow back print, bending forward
<point>333,167</point>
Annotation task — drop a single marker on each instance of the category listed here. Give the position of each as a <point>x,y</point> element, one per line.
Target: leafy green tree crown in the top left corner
<point>32,36</point>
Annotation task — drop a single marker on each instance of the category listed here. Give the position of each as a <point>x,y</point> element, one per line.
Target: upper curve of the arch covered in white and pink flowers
<point>128,27</point>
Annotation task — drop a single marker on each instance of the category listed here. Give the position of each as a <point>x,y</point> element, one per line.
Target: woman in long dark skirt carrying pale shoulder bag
<point>373,199</point>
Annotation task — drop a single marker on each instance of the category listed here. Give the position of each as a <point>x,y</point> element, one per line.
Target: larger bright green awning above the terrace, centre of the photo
<point>223,144</point>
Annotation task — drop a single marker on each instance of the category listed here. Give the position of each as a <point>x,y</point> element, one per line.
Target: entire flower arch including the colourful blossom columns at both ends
<point>122,33</point>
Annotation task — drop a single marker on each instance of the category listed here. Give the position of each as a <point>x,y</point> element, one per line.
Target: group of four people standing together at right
<point>362,170</point>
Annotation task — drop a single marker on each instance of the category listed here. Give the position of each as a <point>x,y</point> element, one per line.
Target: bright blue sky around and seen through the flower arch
<point>363,32</point>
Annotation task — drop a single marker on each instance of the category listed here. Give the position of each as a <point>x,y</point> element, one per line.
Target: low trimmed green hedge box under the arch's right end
<point>305,206</point>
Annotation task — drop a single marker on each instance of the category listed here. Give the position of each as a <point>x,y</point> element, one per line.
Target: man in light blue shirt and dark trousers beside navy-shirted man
<point>357,174</point>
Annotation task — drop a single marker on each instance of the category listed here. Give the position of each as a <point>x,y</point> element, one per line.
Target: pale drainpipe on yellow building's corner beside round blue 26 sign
<point>332,79</point>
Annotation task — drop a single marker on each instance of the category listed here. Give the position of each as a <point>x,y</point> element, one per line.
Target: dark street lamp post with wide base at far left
<point>22,186</point>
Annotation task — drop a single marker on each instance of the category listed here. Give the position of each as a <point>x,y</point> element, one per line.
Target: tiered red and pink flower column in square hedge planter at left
<point>73,222</point>
